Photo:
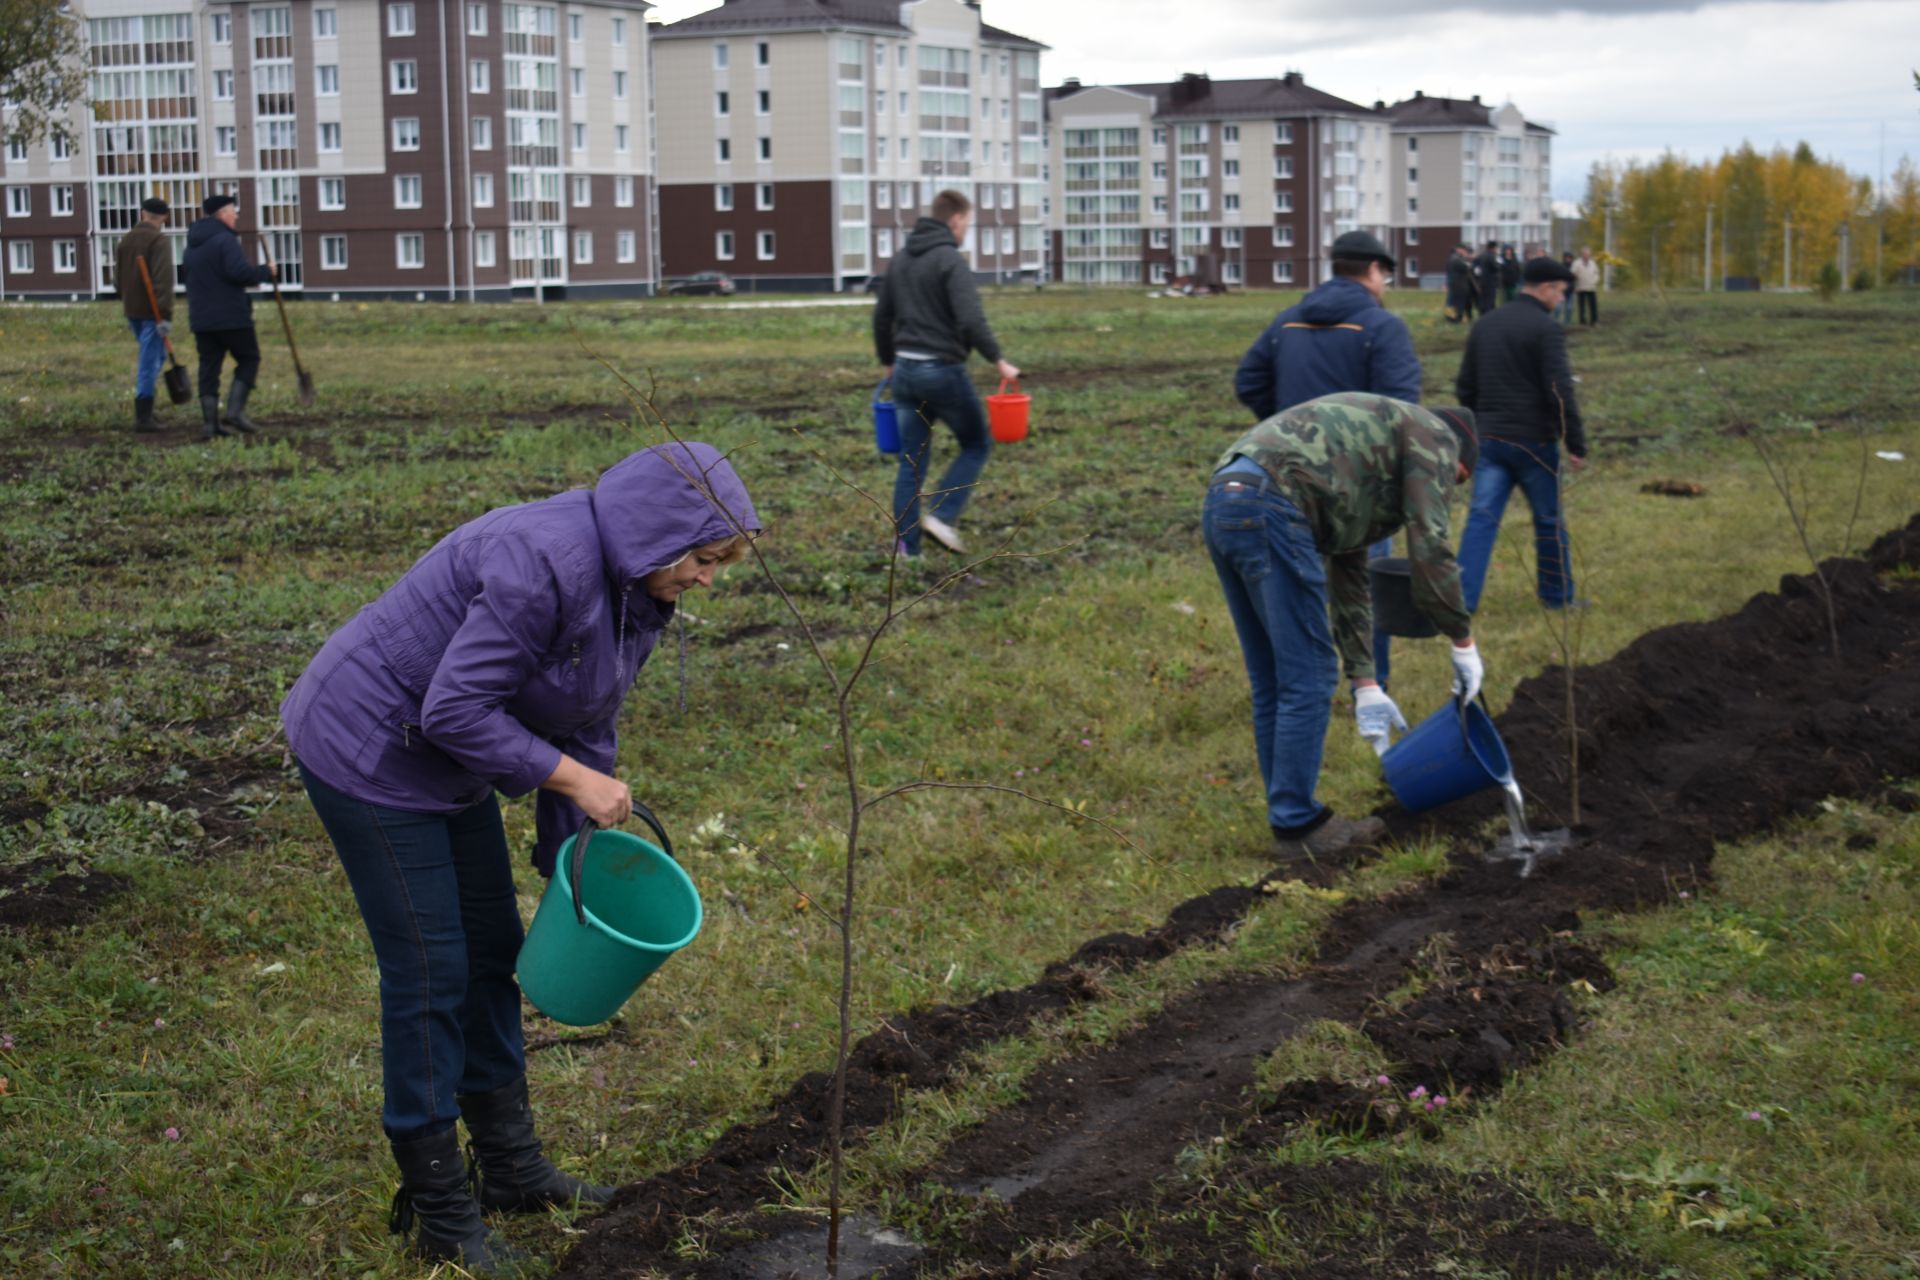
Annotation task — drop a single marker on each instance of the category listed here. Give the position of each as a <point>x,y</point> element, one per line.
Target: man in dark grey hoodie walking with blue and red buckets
<point>926,325</point>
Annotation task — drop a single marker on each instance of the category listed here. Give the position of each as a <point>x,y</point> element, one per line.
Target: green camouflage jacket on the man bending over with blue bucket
<point>1360,467</point>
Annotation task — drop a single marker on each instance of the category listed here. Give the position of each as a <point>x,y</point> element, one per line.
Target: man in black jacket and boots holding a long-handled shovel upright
<point>222,312</point>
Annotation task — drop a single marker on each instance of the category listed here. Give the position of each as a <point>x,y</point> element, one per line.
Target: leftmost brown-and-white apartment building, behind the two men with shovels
<point>454,149</point>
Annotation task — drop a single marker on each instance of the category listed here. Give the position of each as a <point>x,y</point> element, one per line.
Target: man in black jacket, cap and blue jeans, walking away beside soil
<point>1518,383</point>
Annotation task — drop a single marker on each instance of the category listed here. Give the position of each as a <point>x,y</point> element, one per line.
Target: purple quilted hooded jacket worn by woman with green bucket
<point>508,644</point>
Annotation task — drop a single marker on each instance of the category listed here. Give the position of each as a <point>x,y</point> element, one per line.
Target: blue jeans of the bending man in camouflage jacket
<point>1276,584</point>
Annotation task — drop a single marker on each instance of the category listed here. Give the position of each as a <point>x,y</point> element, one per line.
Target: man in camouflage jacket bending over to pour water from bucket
<point>1289,517</point>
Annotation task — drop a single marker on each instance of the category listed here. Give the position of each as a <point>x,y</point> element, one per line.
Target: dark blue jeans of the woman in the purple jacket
<point>437,895</point>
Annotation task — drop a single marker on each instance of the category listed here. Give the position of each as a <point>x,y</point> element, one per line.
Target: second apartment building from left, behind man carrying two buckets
<point>802,139</point>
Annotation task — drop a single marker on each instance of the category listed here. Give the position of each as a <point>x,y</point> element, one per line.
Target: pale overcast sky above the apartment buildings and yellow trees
<point>1616,78</point>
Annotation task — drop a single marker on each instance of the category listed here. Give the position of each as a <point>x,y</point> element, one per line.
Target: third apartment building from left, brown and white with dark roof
<point>1232,181</point>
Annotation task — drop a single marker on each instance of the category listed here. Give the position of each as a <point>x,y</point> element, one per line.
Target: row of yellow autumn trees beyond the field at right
<point>1783,218</point>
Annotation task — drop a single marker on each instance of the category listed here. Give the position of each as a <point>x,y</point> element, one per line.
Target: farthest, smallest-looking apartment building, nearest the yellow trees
<point>1466,174</point>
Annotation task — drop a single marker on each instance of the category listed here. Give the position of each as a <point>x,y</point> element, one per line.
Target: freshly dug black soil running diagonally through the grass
<point>1691,736</point>
